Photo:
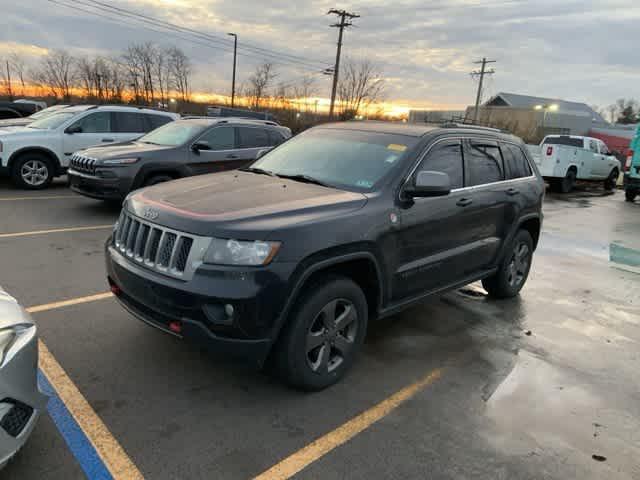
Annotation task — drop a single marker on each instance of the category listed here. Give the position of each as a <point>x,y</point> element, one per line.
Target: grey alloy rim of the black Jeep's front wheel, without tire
<point>331,336</point>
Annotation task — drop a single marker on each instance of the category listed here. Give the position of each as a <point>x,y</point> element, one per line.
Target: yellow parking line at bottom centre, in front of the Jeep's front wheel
<point>300,460</point>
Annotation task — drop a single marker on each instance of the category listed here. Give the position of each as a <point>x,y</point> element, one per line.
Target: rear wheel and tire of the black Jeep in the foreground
<point>514,270</point>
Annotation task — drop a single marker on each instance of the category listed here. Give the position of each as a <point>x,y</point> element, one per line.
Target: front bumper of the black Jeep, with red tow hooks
<point>198,305</point>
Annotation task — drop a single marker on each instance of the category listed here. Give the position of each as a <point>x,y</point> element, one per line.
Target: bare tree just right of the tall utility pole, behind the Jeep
<point>360,85</point>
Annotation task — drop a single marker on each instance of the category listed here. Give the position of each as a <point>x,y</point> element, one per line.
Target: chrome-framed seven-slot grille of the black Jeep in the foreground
<point>161,249</point>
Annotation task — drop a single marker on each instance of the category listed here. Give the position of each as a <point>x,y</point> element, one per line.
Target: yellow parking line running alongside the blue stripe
<point>112,454</point>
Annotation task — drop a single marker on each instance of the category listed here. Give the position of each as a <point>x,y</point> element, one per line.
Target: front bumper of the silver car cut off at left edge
<point>21,402</point>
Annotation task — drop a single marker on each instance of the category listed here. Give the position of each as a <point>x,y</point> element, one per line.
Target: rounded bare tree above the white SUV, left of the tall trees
<point>57,73</point>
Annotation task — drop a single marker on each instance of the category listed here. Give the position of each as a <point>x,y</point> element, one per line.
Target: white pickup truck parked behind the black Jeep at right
<point>563,159</point>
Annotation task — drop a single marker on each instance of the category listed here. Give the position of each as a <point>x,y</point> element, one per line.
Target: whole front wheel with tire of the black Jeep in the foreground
<point>298,360</point>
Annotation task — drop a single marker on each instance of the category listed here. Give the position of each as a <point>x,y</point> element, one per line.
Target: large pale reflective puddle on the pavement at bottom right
<point>541,408</point>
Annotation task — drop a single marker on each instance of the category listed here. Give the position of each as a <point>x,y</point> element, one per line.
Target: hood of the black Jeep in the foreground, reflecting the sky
<point>240,204</point>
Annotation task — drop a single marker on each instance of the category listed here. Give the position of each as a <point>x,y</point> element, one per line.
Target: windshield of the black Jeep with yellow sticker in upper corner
<point>348,159</point>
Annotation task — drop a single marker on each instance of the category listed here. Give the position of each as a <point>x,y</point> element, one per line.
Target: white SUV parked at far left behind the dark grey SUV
<point>35,154</point>
